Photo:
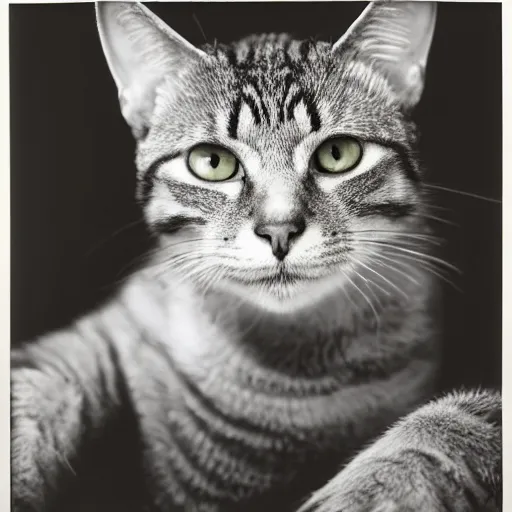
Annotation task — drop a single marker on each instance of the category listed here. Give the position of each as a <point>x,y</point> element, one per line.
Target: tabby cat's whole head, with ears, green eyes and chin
<point>281,170</point>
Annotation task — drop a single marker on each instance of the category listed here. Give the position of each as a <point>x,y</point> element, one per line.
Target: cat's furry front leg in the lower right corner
<point>444,457</point>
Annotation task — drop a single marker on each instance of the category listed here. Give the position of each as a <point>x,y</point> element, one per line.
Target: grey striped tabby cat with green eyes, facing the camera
<point>280,347</point>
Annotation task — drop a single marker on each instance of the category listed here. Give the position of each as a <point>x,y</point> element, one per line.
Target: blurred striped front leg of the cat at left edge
<point>62,395</point>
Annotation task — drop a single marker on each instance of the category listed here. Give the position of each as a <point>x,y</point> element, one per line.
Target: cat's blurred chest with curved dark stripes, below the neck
<point>223,451</point>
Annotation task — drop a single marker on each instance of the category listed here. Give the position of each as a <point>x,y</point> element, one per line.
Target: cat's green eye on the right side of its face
<point>338,155</point>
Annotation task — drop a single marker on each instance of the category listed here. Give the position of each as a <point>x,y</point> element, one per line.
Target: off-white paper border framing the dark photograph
<point>5,254</point>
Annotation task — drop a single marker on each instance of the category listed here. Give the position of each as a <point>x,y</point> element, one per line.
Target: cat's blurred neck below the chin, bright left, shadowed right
<point>219,332</point>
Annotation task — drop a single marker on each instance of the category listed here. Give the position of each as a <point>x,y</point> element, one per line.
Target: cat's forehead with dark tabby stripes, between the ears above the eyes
<point>272,79</point>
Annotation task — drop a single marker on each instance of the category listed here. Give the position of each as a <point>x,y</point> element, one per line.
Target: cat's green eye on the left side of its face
<point>212,163</point>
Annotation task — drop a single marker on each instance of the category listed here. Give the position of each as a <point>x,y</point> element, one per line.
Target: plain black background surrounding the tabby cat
<point>74,218</point>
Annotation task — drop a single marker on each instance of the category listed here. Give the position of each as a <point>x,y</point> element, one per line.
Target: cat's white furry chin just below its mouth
<point>289,298</point>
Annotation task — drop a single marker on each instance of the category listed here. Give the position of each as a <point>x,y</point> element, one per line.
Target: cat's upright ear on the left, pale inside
<point>141,50</point>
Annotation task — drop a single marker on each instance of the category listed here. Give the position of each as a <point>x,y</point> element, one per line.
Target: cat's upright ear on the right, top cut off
<point>396,37</point>
